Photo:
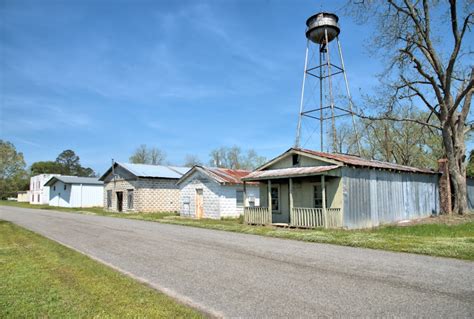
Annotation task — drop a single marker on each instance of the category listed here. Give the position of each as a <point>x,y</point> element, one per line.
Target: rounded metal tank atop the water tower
<point>320,22</point>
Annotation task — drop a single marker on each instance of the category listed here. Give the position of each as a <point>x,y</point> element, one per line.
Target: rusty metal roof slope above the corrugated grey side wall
<point>352,160</point>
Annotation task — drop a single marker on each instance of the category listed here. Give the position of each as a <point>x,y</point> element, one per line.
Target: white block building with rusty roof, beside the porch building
<point>215,192</point>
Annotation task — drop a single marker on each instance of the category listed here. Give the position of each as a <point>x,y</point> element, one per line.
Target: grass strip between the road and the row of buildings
<point>435,239</point>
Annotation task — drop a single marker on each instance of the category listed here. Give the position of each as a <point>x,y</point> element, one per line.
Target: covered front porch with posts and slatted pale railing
<point>307,201</point>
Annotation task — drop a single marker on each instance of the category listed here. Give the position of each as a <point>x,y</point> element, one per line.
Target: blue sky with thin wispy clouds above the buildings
<point>102,77</point>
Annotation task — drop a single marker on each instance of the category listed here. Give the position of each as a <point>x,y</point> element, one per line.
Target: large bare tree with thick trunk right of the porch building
<point>428,67</point>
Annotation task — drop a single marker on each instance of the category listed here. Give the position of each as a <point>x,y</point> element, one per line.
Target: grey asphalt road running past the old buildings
<point>237,275</point>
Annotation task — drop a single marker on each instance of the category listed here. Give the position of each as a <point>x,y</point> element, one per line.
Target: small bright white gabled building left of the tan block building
<point>74,191</point>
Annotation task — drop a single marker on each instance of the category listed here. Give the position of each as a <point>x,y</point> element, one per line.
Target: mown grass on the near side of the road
<point>40,278</point>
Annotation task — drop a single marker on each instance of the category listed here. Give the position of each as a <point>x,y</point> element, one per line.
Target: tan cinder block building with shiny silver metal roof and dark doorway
<point>142,188</point>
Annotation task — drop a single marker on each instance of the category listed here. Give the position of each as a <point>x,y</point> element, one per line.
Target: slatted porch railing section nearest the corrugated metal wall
<point>316,217</point>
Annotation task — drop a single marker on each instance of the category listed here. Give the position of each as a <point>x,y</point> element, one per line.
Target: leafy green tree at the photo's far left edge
<point>13,176</point>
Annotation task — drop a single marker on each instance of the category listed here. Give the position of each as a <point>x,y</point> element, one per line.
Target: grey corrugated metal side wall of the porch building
<point>374,197</point>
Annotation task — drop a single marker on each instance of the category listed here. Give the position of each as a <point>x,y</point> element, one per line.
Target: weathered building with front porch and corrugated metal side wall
<point>305,188</point>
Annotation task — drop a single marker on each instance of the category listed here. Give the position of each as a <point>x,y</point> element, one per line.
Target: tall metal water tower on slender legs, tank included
<point>322,29</point>
